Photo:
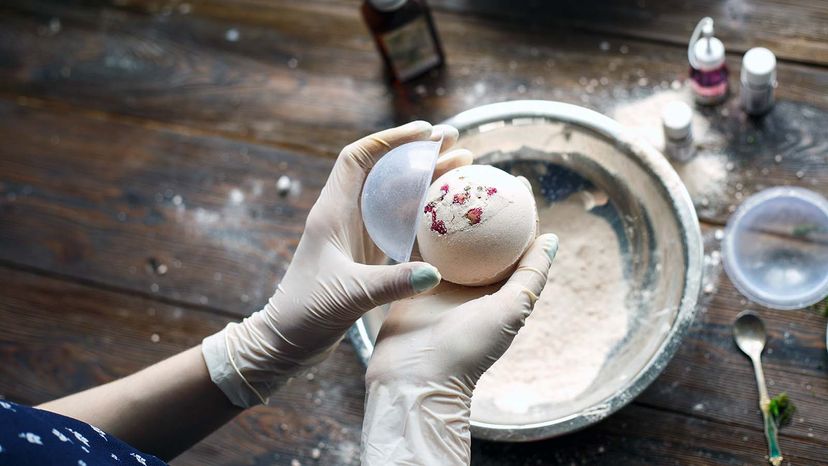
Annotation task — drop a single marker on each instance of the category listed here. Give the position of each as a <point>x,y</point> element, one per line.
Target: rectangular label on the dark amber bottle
<point>411,49</point>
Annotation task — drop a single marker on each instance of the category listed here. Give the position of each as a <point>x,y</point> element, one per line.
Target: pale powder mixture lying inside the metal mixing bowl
<point>578,319</point>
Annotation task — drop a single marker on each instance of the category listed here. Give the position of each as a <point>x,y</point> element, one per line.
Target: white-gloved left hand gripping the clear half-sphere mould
<point>332,280</point>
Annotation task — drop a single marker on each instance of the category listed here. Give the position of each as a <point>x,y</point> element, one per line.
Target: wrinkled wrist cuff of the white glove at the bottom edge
<point>416,424</point>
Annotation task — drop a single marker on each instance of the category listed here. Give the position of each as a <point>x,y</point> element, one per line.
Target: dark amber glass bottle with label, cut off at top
<point>405,36</point>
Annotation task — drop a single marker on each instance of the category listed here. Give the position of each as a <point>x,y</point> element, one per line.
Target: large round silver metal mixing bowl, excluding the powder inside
<point>564,149</point>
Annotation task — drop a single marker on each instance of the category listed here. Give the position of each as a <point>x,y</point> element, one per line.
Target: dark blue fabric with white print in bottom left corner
<point>30,436</point>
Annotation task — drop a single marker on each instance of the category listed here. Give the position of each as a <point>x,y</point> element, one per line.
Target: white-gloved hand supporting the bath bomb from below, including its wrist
<point>430,353</point>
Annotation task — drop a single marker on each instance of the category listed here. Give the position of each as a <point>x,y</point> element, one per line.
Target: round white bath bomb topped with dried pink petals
<point>477,222</point>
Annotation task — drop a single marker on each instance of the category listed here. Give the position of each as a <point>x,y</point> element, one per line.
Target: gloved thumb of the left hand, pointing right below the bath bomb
<point>382,284</point>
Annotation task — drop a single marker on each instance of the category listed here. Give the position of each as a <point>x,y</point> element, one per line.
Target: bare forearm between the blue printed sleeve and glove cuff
<point>163,409</point>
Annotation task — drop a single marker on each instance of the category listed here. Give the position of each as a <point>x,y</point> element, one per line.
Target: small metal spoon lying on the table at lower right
<point>749,333</point>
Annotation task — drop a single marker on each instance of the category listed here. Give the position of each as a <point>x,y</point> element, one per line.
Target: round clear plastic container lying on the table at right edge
<point>775,248</point>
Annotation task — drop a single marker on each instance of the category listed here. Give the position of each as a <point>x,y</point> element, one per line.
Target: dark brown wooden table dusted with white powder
<point>139,212</point>
